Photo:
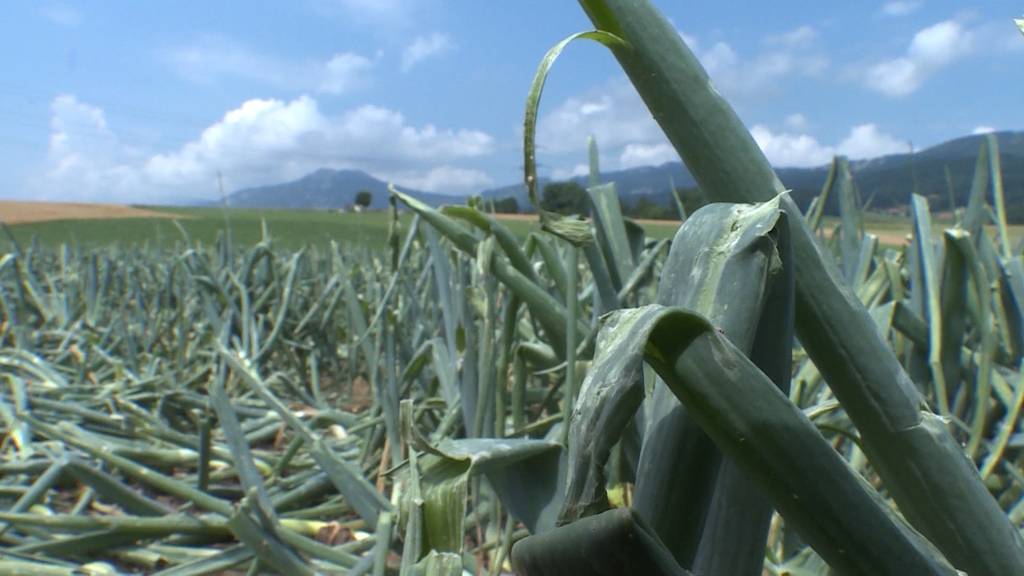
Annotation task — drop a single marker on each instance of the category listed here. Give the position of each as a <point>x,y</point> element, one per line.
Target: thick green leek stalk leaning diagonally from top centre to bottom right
<point>923,467</point>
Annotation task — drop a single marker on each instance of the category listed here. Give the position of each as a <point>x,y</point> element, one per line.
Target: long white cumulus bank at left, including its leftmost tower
<point>261,142</point>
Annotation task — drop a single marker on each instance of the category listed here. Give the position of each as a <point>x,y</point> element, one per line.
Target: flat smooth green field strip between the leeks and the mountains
<point>290,229</point>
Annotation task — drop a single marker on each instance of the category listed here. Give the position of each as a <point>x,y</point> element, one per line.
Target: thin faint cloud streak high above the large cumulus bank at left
<point>212,59</point>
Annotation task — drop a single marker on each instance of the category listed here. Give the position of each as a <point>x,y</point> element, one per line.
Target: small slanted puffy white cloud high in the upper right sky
<point>931,50</point>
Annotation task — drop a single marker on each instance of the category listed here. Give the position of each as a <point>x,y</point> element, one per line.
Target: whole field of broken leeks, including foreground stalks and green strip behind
<point>442,391</point>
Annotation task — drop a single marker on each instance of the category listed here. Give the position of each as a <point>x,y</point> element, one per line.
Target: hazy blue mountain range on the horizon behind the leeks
<point>885,183</point>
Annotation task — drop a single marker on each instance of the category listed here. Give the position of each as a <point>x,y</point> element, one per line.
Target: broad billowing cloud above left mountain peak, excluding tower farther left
<point>294,138</point>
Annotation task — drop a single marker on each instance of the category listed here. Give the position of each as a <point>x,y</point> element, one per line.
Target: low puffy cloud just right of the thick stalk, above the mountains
<point>801,150</point>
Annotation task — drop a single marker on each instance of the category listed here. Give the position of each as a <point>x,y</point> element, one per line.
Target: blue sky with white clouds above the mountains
<point>147,102</point>
